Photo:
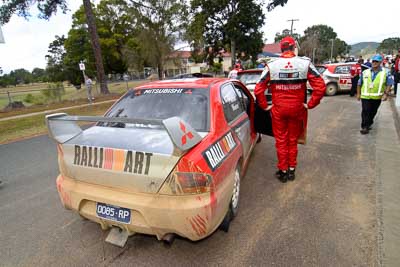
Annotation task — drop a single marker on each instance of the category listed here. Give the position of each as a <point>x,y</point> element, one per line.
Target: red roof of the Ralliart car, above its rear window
<point>183,83</point>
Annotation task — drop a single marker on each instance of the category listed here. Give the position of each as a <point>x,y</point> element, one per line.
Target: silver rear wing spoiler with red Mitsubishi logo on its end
<point>63,127</point>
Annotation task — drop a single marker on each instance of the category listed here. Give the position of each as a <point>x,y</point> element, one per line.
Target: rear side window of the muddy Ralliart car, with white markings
<point>233,107</point>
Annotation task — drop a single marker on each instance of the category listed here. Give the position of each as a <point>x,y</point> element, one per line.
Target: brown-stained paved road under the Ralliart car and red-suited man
<point>326,217</point>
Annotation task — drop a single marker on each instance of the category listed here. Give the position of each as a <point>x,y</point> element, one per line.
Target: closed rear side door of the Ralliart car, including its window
<point>236,104</point>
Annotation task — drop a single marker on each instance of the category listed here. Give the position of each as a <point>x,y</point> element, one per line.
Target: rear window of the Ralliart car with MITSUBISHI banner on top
<point>189,104</point>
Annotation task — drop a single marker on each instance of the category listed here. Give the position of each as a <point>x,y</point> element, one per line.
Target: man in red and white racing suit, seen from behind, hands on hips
<point>287,77</point>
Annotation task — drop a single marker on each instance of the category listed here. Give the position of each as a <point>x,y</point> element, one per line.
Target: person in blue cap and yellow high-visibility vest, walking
<point>373,86</point>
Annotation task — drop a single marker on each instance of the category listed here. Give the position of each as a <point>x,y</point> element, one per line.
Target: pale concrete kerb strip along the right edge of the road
<point>388,186</point>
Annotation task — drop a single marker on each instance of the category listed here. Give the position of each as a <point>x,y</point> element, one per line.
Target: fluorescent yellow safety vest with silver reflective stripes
<point>373,89</point>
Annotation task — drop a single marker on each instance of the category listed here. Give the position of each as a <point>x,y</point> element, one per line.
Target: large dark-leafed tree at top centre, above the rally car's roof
<point>233,25</point>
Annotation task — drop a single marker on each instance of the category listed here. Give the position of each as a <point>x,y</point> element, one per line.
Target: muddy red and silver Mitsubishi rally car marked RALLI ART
<point>167,159</point>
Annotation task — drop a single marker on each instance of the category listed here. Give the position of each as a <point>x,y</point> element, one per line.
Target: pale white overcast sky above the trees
<point>26,42</point>
